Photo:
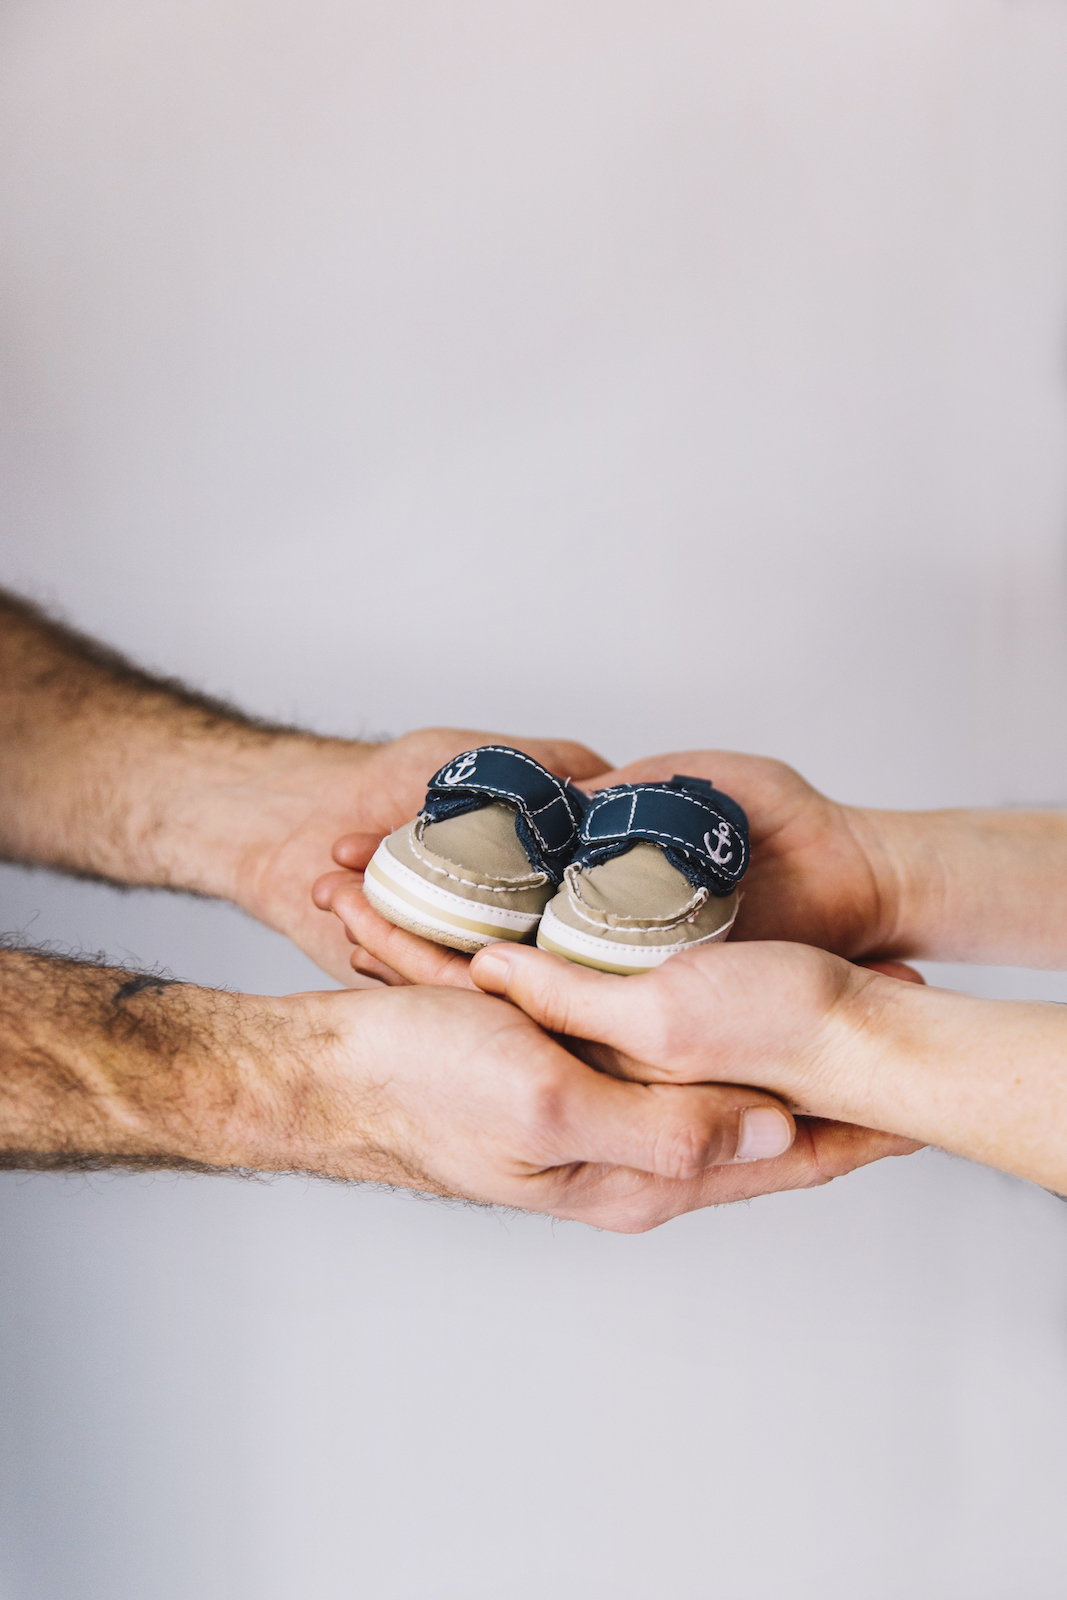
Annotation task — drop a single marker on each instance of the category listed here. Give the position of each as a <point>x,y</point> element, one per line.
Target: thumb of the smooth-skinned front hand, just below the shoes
<point>562,996</point>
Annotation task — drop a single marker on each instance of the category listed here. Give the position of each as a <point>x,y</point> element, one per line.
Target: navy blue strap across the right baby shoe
<point>703,833</point>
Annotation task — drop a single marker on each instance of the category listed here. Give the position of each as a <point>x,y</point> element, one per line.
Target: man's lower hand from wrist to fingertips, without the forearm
<point>462,1095</point>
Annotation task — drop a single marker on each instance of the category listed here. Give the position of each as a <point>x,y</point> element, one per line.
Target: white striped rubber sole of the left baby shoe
<point>434,913</point>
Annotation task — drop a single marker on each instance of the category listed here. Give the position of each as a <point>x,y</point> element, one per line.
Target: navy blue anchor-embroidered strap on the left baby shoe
<point>548,812</point>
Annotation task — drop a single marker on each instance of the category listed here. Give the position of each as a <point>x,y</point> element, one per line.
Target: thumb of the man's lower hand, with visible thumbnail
<point>671,1130</point>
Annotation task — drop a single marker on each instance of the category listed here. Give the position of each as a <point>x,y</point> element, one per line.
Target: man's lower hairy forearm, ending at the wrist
<point>106,1068</point>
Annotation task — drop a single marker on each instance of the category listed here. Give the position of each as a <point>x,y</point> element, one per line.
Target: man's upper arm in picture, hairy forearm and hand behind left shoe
<point>113,774</point>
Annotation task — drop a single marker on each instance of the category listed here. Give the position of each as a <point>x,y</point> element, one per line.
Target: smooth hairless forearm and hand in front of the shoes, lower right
<point>980,1078</point>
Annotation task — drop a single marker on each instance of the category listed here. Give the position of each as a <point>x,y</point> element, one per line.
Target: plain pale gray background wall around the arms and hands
<point>658,375</point>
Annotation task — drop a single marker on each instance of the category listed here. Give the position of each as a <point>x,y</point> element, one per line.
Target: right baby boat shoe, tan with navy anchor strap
<point>657,871</point>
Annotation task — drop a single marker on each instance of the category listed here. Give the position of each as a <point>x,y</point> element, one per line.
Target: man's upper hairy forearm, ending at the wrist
<point>113,774</point>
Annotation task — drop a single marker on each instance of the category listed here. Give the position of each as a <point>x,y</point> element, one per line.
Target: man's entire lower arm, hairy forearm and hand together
<point>426,1089</point>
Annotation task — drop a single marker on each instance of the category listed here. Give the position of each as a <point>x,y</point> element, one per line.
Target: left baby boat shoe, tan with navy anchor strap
<point>484,857</point>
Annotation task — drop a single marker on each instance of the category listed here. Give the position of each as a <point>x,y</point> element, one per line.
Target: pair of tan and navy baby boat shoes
<point>620,881</point>
